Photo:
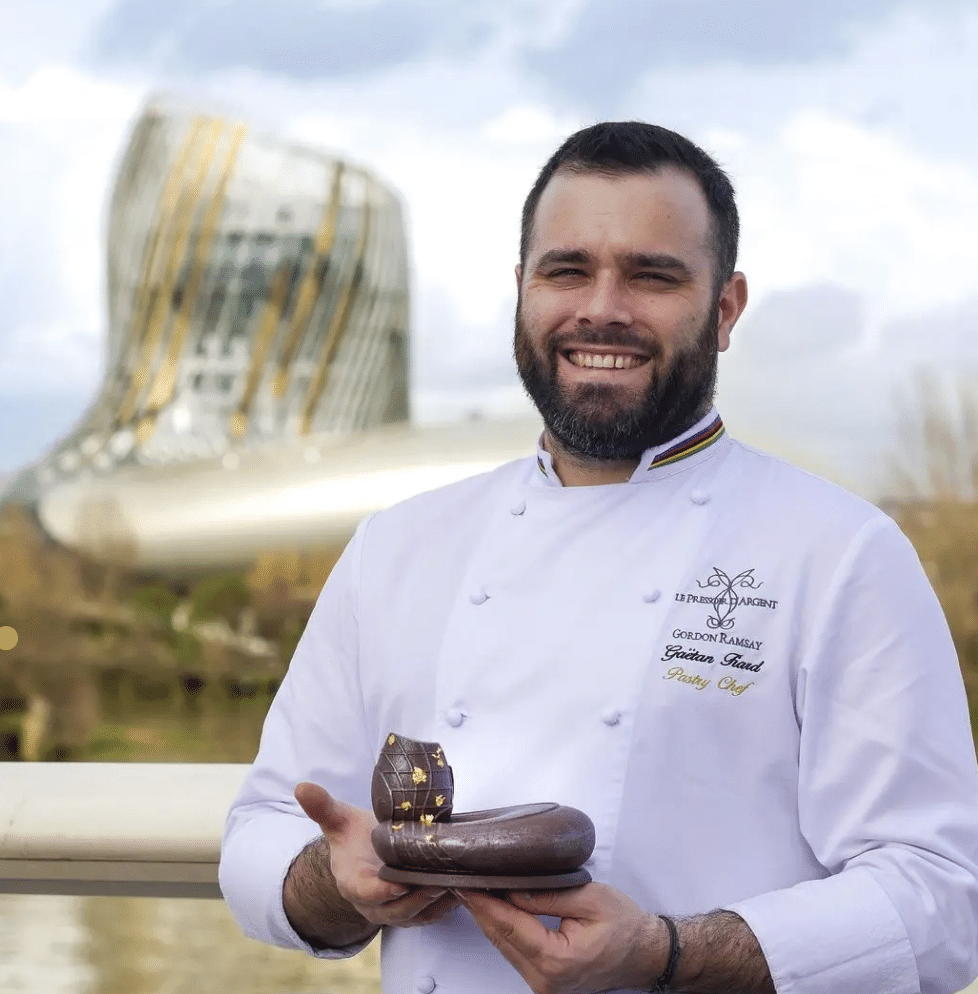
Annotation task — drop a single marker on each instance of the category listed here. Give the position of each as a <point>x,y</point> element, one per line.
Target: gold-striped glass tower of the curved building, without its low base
<point>257,291</point>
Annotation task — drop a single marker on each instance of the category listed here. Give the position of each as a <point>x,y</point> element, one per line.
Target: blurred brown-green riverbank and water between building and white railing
<point>101,673</point>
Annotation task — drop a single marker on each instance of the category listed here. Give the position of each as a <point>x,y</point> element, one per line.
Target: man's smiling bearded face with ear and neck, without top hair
<point>623,304</point>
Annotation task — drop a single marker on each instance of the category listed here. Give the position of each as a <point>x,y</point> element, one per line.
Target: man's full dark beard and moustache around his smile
<point>602,422</point>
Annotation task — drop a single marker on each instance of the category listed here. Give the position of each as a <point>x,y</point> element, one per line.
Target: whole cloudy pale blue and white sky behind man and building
<point>848,129</point>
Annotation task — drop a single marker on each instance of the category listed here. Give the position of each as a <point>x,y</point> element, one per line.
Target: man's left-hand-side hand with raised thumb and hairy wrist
<point>333,894</point>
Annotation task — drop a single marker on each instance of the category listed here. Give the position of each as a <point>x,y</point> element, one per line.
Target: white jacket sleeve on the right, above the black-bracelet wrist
<point>888,793</point>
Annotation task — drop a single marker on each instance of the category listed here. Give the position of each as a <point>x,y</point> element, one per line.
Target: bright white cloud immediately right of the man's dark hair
<point>830,200</point>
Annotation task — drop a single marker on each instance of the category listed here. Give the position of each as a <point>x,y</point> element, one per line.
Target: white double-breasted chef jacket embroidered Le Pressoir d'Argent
<point>737,670</point>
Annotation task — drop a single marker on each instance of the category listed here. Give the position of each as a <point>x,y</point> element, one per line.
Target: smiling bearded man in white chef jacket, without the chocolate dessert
<point>792,807</point>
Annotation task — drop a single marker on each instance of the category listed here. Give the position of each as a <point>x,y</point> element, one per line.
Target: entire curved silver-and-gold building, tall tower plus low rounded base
<point>256,387</point>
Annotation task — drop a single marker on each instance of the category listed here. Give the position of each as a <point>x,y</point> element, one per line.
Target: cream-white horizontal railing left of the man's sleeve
<point>114,829</point>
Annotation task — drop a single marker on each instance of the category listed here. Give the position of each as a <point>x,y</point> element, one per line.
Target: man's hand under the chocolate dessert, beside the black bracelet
<point>605,940</point>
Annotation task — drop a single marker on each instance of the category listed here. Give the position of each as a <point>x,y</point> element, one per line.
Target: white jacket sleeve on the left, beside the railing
<point>314,731</point>
